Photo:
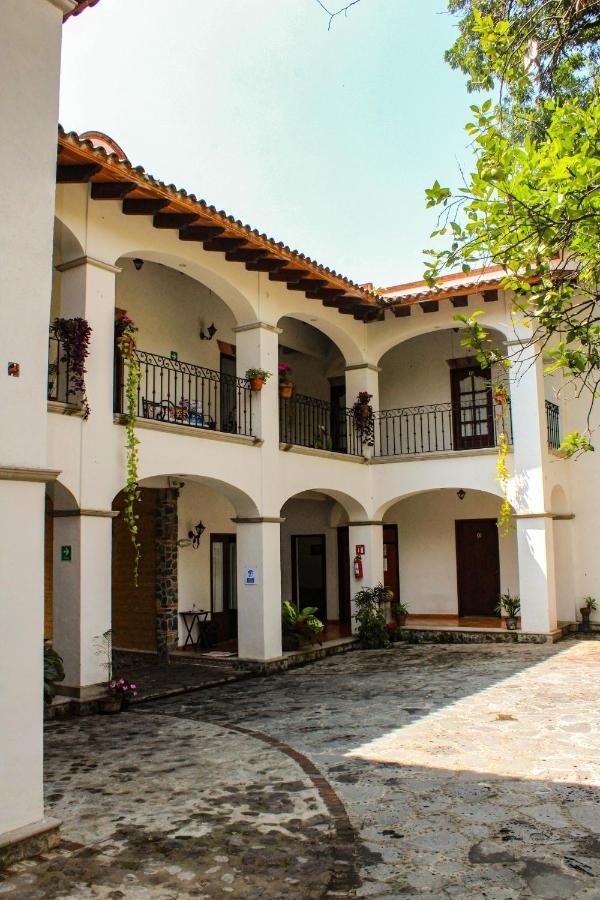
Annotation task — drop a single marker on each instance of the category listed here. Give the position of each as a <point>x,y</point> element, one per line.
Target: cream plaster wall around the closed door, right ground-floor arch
<point>427,547</point>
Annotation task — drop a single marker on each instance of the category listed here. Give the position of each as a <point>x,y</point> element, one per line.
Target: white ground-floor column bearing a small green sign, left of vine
<point>82,591</point>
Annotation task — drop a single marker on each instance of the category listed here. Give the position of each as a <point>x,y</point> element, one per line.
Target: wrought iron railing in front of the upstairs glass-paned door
<point>440,427</point>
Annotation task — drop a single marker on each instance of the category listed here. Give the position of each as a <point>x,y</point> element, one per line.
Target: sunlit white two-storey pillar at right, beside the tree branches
<point>528,492</point>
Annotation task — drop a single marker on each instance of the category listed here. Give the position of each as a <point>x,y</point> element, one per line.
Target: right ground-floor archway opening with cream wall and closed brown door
<point>453,562</point>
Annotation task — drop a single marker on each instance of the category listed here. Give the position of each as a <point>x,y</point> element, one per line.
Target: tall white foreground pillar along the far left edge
<point>30,40</point>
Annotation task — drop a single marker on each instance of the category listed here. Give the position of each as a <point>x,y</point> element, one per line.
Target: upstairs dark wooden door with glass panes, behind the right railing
<point>472,411</point>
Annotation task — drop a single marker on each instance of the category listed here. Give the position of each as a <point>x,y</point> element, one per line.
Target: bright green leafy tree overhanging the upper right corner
<point>532,202</point>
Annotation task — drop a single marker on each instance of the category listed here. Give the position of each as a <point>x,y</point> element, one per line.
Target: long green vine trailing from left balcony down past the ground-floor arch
<point>124,331</point>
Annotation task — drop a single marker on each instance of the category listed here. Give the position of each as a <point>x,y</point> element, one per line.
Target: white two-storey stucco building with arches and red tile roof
<point>289,488</point>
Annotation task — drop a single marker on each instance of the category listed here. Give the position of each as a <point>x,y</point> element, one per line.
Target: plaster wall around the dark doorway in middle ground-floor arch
<point>310,516</point>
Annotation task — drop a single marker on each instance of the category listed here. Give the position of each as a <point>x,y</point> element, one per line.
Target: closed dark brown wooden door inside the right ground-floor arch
<point>478,566</point>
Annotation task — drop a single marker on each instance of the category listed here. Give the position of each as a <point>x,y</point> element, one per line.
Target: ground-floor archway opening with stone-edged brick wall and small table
<point>176,572</point>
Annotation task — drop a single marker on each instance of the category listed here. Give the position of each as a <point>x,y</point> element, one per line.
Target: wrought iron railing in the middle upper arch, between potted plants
<point>310,422</point>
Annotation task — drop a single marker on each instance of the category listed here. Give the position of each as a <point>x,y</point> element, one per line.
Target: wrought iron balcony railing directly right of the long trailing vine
<point>185,394</point>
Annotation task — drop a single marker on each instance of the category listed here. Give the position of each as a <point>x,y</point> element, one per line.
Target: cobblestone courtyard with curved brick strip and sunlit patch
<point>425,771</point>
